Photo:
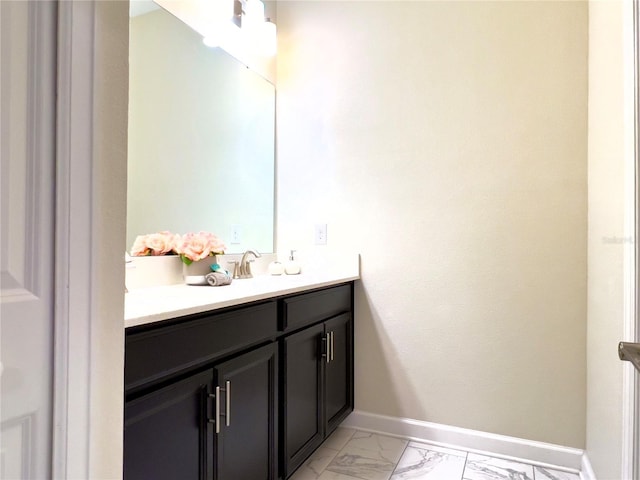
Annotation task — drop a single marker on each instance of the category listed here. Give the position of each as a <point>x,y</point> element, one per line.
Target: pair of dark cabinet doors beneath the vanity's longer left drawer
<point>220,424</point>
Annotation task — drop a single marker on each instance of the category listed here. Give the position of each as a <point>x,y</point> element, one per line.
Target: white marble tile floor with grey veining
<point>350,454</point>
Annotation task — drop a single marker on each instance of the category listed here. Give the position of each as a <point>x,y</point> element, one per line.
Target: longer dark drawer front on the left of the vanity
<point>164,351</point>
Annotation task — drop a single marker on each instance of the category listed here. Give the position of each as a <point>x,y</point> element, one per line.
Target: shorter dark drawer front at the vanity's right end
<point>313,307</point>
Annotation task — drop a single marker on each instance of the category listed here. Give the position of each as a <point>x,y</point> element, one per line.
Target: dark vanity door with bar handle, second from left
<point>246,442</point>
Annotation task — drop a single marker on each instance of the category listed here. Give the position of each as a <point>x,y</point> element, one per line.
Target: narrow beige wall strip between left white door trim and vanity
<point>109,194</point>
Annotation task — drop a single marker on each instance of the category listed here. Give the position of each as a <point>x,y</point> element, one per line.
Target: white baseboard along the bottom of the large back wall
<point>537,453</point>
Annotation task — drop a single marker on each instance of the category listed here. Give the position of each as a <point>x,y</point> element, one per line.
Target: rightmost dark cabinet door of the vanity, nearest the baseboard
<point>338,371</point>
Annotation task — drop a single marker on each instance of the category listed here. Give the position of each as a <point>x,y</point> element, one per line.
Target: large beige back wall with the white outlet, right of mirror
<point>446,142</point>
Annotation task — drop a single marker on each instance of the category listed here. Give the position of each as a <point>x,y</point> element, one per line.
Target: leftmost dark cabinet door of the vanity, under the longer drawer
<point>166,433</point>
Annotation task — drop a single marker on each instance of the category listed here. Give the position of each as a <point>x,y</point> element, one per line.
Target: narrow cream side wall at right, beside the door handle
<point>610,166</point>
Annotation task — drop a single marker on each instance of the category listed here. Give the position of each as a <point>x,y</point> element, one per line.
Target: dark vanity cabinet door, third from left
<point>303,425</point>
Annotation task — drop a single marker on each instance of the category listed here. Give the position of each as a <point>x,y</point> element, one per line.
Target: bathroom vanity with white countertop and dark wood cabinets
<point>236,389</point>
